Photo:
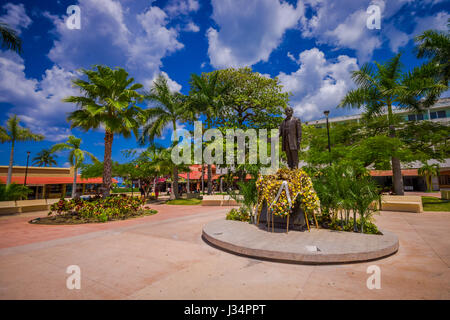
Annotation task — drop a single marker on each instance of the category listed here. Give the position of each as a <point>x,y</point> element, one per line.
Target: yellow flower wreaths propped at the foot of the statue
<point>300,189</point>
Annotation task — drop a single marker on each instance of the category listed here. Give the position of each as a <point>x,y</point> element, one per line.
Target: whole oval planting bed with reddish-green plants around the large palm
<point>98,210</point>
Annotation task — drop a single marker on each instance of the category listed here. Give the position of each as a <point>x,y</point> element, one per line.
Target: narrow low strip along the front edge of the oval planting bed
<point>72,219</point>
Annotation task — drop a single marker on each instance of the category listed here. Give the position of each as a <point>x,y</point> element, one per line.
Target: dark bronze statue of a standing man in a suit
<point>291,135</point>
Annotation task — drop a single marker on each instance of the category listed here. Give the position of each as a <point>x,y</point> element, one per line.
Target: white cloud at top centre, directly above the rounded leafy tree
<point>248,31</point>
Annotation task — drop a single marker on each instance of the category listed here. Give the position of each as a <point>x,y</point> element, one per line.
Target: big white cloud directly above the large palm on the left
<point>116,36</point>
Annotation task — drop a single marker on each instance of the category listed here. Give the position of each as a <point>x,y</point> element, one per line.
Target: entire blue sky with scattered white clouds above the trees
<point>311,45</point>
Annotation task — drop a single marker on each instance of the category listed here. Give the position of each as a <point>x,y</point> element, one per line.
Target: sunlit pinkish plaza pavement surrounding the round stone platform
<point>163,257</point>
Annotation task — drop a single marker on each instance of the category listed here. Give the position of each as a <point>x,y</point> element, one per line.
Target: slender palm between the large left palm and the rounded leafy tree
<point>169,108</point>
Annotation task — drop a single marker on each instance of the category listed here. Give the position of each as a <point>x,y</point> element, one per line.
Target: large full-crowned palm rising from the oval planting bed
<point>108,101</point>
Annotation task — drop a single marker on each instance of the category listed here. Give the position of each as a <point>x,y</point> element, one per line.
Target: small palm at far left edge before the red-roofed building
<point>14,132</point>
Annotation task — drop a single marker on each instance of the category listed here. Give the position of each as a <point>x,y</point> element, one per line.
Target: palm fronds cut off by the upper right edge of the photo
<point>435,46</point>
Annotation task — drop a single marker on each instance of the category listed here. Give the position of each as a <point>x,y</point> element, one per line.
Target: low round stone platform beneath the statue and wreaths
<point>319,246</point>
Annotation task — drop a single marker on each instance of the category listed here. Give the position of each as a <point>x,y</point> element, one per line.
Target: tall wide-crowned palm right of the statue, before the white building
<point>389,86</point>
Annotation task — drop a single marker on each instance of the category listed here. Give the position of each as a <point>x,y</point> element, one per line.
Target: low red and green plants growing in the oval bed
<point>102,209</point>
